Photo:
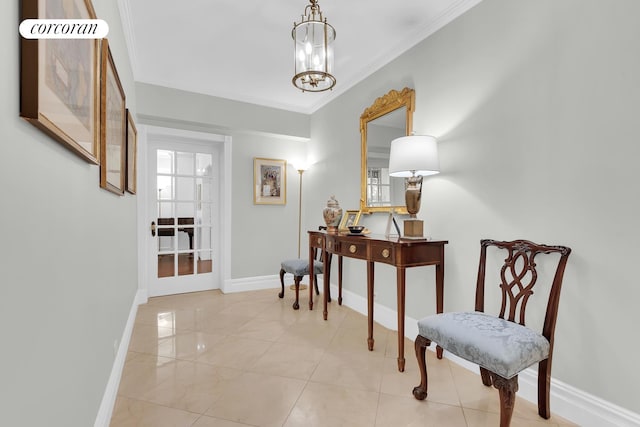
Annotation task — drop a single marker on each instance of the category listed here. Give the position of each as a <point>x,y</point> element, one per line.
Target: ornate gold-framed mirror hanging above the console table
<point>389,117</point>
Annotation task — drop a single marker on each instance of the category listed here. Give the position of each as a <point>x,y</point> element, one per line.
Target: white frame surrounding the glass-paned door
<point>147,133</point>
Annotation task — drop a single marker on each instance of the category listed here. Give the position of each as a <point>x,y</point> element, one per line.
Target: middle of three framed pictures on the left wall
<point>113,124</point>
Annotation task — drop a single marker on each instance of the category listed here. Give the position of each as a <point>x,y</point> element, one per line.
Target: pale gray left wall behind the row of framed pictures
<point>68,266</point>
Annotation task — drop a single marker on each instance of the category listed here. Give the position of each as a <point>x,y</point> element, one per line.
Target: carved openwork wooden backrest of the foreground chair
<point>518,277</point>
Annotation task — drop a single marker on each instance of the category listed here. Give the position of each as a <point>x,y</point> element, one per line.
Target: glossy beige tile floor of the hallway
<point>212,360</point>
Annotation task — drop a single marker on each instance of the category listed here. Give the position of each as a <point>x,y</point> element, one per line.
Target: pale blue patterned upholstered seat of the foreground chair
<point>501,346</point>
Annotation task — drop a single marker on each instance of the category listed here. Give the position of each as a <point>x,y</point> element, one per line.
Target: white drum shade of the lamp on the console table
<point>414,155</point>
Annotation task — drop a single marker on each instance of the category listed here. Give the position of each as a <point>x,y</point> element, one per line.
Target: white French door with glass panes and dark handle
<point>185,216</point>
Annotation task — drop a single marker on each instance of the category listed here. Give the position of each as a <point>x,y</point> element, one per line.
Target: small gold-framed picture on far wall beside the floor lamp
<point>269,181</point>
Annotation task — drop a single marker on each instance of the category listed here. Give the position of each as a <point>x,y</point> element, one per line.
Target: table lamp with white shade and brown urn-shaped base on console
<point>413,157</point>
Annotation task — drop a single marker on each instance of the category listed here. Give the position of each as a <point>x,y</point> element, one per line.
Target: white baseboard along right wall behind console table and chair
<point>567,402</point>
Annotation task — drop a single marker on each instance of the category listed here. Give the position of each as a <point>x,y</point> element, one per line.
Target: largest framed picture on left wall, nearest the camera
<point>59,80</point>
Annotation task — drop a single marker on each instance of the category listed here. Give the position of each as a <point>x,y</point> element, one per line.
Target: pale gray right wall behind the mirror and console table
<point>535,105</point>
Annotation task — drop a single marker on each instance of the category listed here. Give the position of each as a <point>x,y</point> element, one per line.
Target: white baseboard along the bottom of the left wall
<point>103,419</point>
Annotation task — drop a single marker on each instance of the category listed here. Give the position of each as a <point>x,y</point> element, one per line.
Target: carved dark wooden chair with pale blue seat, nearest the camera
<point>502,346</point>
